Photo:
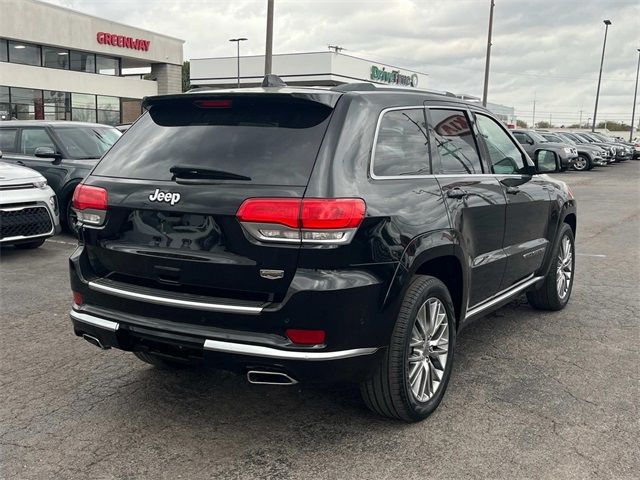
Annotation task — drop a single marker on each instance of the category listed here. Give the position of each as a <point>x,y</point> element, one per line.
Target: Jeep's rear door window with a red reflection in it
<point>454,141</point>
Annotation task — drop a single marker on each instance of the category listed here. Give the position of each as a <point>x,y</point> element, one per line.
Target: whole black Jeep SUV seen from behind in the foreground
<point>308,234</point>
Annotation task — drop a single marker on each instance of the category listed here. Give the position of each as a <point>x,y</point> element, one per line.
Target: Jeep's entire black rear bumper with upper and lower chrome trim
<point>345,304</point>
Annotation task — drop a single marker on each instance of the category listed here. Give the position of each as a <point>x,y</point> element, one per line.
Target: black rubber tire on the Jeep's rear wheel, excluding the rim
<point>388,391</point>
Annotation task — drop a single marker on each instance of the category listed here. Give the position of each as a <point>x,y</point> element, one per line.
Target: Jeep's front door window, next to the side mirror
<point>505,156</point>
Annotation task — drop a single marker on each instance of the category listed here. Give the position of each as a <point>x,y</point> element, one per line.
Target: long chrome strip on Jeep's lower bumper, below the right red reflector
<point>268,352</point>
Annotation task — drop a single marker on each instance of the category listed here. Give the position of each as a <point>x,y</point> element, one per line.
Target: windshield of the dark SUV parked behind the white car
<point>87,142</point>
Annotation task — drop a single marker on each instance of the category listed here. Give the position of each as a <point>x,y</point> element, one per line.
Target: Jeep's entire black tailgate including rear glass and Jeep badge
<point>177,229</point>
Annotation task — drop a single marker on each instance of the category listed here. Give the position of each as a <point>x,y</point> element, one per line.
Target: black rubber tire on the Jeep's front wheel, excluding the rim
<point>547,296</point>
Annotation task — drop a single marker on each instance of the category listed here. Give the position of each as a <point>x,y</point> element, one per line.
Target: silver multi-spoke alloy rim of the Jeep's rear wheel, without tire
<point>428,349</point>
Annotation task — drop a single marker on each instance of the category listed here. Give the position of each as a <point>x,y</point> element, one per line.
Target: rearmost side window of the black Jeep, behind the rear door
<point>402,146</point>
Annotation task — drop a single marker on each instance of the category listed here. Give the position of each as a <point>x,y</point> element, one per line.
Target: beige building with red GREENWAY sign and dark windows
<point>59,64</point>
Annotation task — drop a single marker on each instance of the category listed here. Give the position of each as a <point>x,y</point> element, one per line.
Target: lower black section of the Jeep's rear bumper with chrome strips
<point>234,351</point>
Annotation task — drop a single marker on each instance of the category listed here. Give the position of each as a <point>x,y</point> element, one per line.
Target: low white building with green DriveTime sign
<point>313,68</point>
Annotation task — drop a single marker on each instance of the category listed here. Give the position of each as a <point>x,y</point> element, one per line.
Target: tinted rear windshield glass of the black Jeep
<point>261,141</point>
